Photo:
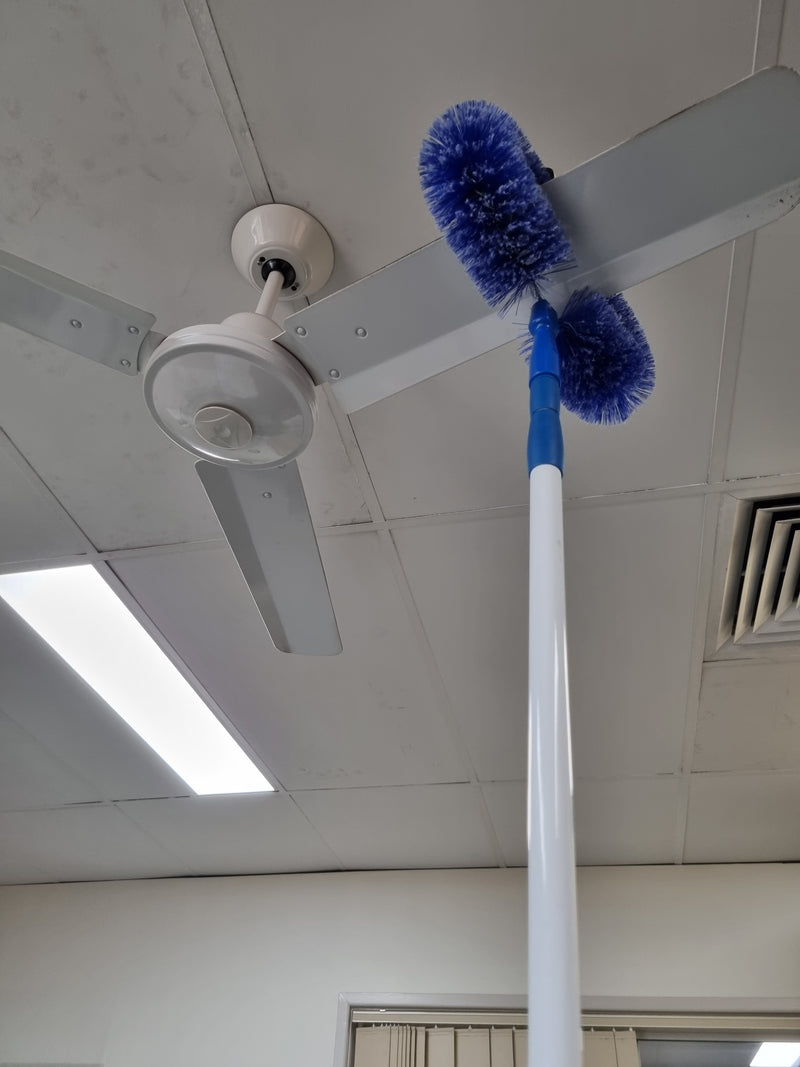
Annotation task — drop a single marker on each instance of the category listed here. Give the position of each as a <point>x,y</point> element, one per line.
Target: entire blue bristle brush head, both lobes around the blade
<point>482,181</point>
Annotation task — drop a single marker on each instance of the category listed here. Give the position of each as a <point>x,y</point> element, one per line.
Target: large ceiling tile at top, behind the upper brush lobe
<point>346,141</point>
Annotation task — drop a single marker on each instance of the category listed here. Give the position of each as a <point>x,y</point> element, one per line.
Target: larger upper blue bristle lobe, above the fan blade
<point>482,182</point>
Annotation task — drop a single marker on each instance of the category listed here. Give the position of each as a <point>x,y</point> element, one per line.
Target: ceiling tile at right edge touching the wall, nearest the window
<point>744,819</point>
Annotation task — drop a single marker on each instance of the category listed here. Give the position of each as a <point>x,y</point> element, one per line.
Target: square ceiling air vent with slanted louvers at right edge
<point>762,597</point>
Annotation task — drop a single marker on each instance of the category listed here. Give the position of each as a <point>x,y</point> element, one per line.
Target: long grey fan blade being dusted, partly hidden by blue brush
<point>708,176</point>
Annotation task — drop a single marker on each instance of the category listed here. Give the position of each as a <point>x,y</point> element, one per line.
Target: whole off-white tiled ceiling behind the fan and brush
<point>133,137</point>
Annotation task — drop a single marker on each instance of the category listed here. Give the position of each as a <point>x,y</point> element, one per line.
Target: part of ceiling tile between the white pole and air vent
<point>632,601</point>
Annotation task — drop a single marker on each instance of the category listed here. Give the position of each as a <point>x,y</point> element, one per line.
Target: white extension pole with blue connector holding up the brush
<point>554,997</point>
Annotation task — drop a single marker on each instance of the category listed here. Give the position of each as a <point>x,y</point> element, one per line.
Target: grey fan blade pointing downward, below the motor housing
<point>265,518</point>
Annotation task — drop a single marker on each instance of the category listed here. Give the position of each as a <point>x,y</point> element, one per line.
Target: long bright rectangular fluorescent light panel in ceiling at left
<point>85,622</point>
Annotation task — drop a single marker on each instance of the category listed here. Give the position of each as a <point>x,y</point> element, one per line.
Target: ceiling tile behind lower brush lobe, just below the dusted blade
<point>458,442</point>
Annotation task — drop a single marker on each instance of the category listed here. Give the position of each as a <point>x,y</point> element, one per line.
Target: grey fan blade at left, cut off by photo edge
<point>73,316</point>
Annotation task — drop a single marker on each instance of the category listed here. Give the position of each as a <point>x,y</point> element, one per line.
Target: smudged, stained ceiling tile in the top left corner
<point>119,169</point>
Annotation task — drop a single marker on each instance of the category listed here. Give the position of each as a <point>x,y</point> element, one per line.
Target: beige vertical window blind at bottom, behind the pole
<point>409,1046</point>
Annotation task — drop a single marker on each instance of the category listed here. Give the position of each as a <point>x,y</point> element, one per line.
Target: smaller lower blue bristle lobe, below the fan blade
<point>607,369</point>
